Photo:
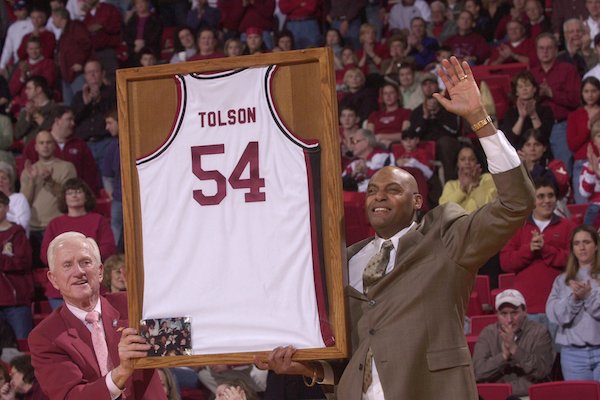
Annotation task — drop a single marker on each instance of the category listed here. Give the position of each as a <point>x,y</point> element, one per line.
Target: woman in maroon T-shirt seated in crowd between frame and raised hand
<point>388,123</point>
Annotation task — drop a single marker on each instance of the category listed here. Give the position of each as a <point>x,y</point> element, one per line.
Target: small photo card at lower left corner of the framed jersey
<point>168,336</point>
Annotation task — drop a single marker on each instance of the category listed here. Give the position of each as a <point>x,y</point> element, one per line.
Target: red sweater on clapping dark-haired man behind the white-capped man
<point>536,271</point>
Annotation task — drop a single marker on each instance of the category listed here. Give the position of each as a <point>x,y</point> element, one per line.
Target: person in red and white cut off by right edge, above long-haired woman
<point>589,180</point>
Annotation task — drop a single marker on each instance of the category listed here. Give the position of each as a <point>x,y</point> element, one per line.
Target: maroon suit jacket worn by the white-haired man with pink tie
<point>65,364</point>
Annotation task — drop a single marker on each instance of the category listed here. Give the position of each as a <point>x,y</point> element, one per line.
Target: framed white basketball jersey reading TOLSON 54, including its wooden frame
<point>232,204</point>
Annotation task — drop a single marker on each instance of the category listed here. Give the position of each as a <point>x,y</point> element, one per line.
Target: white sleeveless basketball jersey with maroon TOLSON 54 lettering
<point>229,220</point>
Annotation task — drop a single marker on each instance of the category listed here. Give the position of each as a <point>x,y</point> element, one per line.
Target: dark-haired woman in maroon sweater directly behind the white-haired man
<point>77,202</point>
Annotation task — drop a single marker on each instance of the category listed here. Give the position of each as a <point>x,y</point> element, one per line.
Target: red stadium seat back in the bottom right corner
<point>563,390</point>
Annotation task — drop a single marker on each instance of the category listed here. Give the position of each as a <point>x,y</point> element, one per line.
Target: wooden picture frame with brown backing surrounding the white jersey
<point>304,92</point>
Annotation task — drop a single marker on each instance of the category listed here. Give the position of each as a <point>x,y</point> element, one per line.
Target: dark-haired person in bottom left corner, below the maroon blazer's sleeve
<point>23,384</point>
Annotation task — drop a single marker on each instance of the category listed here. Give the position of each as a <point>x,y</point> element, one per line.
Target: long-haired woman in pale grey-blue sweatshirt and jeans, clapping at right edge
<point>573,304</point>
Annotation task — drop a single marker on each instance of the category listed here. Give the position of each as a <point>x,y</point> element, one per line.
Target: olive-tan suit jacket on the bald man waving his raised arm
<point>412,318</point>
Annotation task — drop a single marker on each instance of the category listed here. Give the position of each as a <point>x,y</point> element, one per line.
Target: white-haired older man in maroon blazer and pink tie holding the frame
<point>84,349</point>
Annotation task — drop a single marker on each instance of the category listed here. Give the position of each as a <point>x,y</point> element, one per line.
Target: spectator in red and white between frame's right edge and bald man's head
<point>369,158</point>
